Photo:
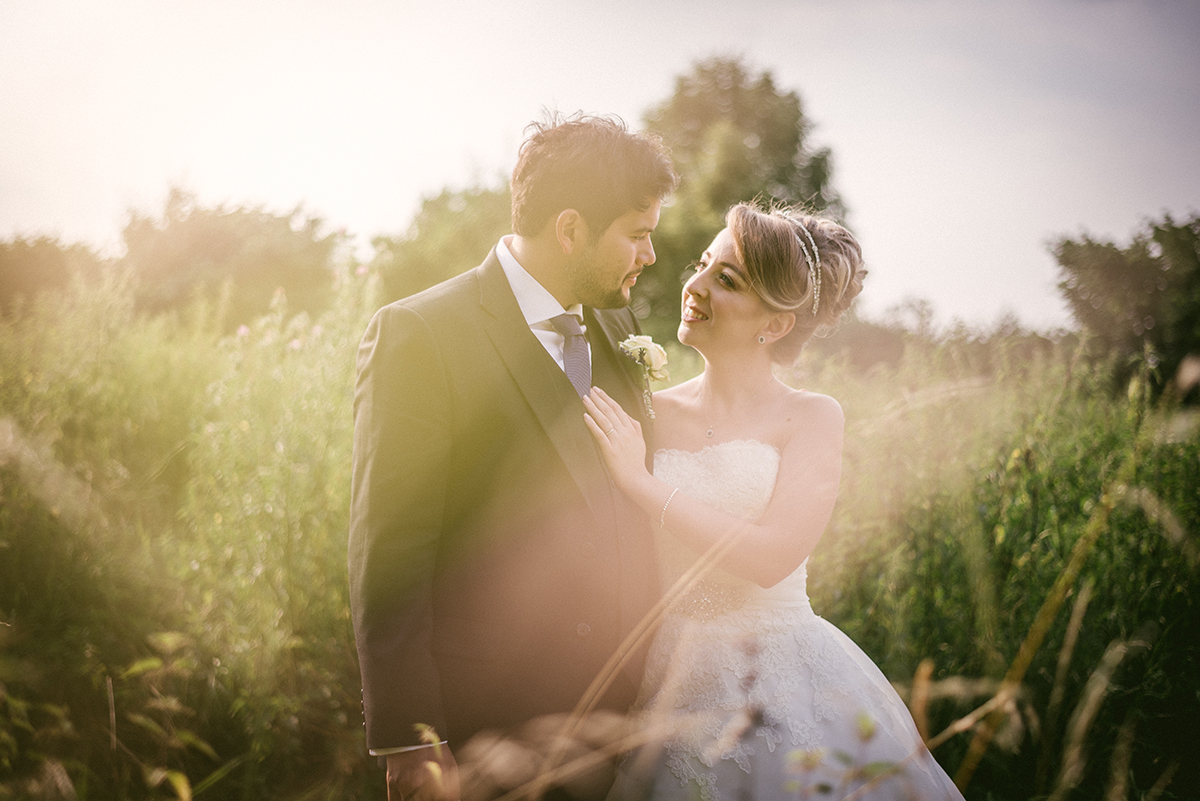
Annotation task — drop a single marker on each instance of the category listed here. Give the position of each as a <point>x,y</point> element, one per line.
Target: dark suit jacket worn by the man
<point>494,565</point>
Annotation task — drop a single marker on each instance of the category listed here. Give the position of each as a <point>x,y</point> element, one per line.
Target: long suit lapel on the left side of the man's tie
<point>547,389</point>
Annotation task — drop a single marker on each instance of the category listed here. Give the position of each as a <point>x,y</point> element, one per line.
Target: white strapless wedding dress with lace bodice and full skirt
<point>766,700</point>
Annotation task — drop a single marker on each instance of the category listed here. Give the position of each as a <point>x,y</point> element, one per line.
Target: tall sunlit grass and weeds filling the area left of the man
<point>148,648</point>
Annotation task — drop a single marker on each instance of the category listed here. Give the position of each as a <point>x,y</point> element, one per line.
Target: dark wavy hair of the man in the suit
<point>593,165</point>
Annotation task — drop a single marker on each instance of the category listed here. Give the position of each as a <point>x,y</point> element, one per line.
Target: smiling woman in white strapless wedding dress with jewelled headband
<point>763,698</point>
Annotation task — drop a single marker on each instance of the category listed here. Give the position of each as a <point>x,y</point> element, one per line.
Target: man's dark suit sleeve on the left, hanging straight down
<point>398,499</point>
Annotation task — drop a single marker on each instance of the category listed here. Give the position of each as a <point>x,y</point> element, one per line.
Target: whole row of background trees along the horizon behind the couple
<point>735,135</point>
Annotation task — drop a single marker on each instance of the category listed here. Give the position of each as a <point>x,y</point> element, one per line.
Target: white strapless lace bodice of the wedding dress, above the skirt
<point>737,478</point>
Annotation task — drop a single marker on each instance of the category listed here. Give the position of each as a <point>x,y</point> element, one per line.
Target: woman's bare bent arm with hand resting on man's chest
<point>770,549</point>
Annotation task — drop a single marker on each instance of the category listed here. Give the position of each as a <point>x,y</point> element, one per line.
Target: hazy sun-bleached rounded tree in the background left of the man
<point>242,255</point>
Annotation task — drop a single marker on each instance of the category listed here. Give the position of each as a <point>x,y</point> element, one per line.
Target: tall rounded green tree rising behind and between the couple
<point>735,136</point>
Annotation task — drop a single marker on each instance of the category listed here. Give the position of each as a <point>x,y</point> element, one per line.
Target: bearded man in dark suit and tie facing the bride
<point>494,567</point>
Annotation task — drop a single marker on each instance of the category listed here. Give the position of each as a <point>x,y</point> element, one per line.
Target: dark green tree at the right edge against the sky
<point>1142,299</point>
